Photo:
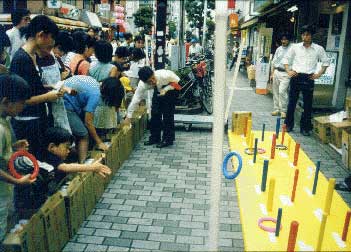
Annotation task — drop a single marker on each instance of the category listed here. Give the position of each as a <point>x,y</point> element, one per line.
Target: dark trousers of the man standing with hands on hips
<point>305,85</point>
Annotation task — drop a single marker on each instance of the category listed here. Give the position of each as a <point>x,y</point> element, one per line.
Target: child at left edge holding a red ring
<point>13,93</point>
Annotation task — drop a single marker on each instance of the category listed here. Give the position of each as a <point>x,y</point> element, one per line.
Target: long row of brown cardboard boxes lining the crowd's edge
<point>62,214</point>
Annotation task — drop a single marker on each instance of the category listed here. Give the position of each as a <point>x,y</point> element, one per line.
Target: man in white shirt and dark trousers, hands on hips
<point>303,57</point>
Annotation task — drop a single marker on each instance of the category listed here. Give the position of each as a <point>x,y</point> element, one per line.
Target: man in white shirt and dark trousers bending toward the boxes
<point>163,82</point>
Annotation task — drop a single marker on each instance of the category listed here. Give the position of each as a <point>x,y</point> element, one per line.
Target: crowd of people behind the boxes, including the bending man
<point>60,91</point>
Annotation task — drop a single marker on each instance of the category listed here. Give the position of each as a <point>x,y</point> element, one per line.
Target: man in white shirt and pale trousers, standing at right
<point>280,77</point>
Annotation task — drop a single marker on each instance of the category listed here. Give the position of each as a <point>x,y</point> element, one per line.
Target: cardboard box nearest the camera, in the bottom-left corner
<point>30,239</point>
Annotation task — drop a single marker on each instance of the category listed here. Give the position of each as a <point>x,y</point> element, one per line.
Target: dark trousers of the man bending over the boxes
<point>162,116</point>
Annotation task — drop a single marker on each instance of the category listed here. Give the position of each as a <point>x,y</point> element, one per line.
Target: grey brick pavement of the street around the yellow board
<point>159,199</point>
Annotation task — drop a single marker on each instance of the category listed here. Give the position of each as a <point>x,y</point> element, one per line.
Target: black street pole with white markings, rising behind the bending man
<point>161,18</point>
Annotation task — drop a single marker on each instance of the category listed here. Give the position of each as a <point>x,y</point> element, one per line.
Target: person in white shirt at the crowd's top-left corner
<point>20,18</point>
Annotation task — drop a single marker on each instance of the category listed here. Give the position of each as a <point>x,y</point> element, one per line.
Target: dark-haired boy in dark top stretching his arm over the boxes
<point>55,149</point>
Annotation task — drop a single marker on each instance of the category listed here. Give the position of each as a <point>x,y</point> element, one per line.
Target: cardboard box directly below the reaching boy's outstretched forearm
<point>74,203</point>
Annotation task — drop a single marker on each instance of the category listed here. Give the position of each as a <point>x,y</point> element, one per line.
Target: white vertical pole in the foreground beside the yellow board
<point>218,121</point>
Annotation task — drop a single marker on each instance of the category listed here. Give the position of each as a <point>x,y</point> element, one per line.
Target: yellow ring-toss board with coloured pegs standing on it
<point>307,209</point>
